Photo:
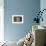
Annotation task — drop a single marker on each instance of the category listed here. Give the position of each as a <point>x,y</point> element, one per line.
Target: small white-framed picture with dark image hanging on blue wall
<point>17,19</point>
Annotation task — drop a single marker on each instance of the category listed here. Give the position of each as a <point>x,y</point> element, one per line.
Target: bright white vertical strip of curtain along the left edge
<point>1,20</point>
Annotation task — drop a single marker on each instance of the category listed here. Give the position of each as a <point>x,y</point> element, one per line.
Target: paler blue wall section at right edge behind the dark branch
<point>43,6</point>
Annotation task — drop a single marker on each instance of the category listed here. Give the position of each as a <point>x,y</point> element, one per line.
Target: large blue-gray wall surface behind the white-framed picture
<point>28,8</point>
